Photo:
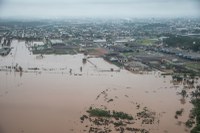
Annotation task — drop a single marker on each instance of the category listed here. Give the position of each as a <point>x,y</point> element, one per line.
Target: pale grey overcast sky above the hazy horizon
<point>98,8</point>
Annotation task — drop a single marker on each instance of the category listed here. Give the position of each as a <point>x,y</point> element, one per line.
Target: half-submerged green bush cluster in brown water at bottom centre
<point>105,121</point>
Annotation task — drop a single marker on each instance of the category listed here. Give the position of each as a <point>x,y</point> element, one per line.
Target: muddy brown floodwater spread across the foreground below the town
<point>52,100</point>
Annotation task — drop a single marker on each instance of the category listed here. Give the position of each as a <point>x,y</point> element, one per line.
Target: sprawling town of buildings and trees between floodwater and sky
<point>168,45</point>
